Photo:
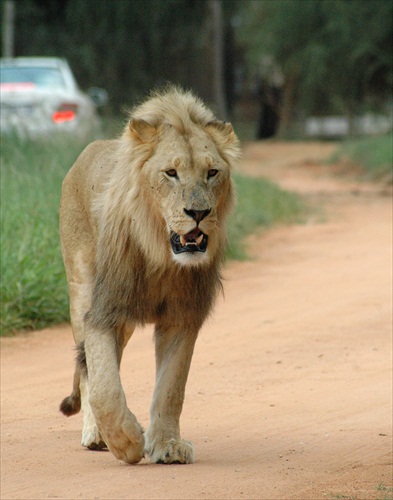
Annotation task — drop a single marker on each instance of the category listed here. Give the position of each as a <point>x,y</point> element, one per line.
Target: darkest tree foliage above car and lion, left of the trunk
<point>126,47</point>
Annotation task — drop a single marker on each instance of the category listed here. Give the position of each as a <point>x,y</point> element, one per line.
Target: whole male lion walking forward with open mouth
<point>142,227</point>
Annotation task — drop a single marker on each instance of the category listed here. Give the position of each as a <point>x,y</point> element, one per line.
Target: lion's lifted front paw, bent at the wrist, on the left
<point>125,441</point>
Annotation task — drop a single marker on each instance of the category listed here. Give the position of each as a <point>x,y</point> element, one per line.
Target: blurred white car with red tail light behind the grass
<point>39,95</point>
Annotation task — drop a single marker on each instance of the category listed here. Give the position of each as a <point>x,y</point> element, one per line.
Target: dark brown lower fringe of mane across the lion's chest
<point>178,295</point>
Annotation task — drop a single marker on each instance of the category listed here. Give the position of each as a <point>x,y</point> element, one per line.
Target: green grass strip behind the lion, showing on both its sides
<point>33,285</point>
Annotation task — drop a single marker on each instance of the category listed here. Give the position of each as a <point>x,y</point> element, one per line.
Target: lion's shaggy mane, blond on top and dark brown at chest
<point>131,233</point>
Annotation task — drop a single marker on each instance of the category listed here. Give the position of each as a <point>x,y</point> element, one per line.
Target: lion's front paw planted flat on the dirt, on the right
<point>174,451</point>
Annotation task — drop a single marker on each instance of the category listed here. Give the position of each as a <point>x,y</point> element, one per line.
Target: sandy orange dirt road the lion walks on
<point>290,390</point>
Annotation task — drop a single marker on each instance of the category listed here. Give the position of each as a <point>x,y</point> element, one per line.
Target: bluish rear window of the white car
<point>30,77</point>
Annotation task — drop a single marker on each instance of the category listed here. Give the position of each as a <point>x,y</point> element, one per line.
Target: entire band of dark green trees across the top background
<point>334,55</point>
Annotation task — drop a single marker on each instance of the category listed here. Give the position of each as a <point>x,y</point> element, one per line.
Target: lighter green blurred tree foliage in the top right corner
<point>335,55</point>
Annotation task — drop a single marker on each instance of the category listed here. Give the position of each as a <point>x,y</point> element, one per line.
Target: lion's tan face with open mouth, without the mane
<point>190,185</point>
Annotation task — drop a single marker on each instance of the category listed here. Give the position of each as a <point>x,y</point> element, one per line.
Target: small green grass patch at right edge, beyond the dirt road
<point>373,154</point>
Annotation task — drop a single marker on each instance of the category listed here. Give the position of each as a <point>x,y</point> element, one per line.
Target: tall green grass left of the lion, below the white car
<point>33,287</point>
